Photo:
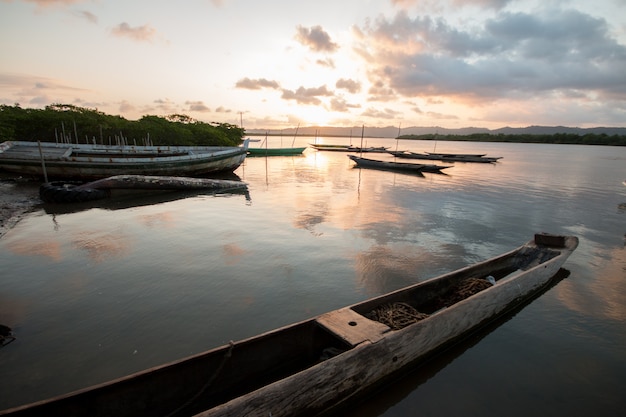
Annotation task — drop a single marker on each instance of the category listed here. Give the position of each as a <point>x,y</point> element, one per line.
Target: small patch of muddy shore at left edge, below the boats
<point>17,197</point>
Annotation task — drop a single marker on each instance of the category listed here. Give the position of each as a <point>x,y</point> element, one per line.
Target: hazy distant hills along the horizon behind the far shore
<point>392,132</point>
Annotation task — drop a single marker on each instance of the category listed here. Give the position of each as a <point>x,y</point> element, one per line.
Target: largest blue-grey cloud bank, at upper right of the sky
<point>510,55</point>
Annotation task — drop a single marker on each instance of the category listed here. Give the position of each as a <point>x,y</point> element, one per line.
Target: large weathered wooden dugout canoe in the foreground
<point>314,366</point>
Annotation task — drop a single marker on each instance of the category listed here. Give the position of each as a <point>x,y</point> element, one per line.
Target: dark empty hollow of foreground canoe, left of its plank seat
<point>205,381</point>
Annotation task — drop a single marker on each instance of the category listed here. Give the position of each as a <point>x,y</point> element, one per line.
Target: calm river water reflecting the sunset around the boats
<point>97,291</point>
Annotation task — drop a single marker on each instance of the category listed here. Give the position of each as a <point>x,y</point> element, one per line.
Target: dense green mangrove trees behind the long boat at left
<point>69,123</point>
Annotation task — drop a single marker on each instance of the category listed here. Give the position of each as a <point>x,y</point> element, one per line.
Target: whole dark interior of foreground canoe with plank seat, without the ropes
<point>215,377</point>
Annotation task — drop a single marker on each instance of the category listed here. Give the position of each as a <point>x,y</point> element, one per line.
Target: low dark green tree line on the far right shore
<point>561,138</point>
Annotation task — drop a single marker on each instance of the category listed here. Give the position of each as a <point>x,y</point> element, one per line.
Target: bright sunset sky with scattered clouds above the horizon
<point>281,63</point>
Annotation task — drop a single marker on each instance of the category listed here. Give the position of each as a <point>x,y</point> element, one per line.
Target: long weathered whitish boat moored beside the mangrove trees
<point>67,161</point>
